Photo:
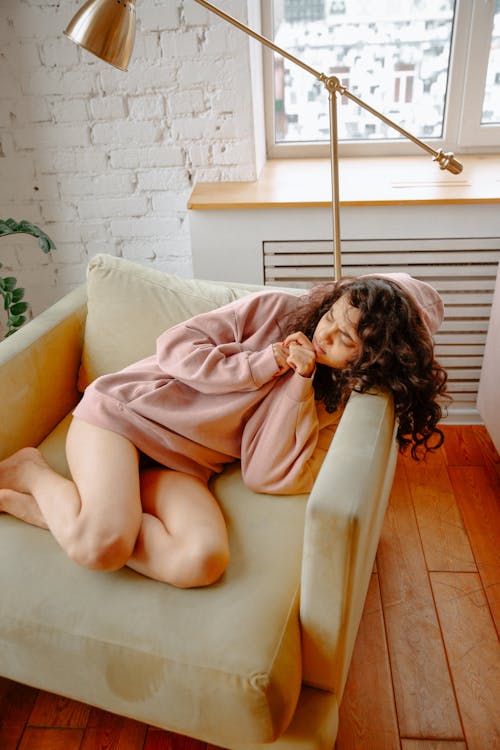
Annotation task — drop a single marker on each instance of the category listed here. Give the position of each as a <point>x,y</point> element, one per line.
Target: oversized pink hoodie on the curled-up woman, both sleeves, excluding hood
<point>211,395</point>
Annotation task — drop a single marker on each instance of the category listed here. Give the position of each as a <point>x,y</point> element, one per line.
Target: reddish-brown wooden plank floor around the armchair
<point>425,673</point>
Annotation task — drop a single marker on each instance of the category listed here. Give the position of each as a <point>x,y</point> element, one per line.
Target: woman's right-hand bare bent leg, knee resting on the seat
<point>183,537</point>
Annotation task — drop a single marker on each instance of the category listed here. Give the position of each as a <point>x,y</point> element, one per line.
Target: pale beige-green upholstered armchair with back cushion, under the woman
<point>260,657</point>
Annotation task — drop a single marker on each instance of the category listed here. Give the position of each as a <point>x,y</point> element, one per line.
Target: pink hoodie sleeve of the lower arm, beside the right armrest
<point>279,440</point>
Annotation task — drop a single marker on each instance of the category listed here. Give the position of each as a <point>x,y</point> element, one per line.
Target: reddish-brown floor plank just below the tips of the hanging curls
<point>444,539</point>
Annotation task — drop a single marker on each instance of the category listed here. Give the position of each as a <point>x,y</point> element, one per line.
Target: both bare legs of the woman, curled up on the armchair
<point>98,519</point>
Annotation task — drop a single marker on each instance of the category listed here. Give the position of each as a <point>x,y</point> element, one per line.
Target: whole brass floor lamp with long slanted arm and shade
<point>107,29</point>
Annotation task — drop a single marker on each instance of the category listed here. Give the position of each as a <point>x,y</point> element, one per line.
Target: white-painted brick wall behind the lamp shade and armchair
<point>104,161</point>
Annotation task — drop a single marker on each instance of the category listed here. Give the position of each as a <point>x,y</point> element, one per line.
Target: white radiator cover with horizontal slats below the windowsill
<point>462,270</point>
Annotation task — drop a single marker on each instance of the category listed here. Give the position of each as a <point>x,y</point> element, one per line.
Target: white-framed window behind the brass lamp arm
<point>431,66</point>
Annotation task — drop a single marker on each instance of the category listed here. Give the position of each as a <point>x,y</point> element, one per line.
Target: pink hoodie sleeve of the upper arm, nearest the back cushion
<point>225,350</point>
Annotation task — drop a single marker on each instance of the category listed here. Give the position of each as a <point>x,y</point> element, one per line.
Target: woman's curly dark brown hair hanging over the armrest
<point>397,355</point>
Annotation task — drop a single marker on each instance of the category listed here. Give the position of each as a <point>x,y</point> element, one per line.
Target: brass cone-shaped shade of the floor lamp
<point>107,29</point>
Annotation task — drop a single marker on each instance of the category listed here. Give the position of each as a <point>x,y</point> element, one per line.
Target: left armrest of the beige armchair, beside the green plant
<point>38,373</point>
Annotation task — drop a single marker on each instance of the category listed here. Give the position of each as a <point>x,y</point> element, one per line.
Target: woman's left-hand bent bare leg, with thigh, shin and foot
<point>96,517</point>
